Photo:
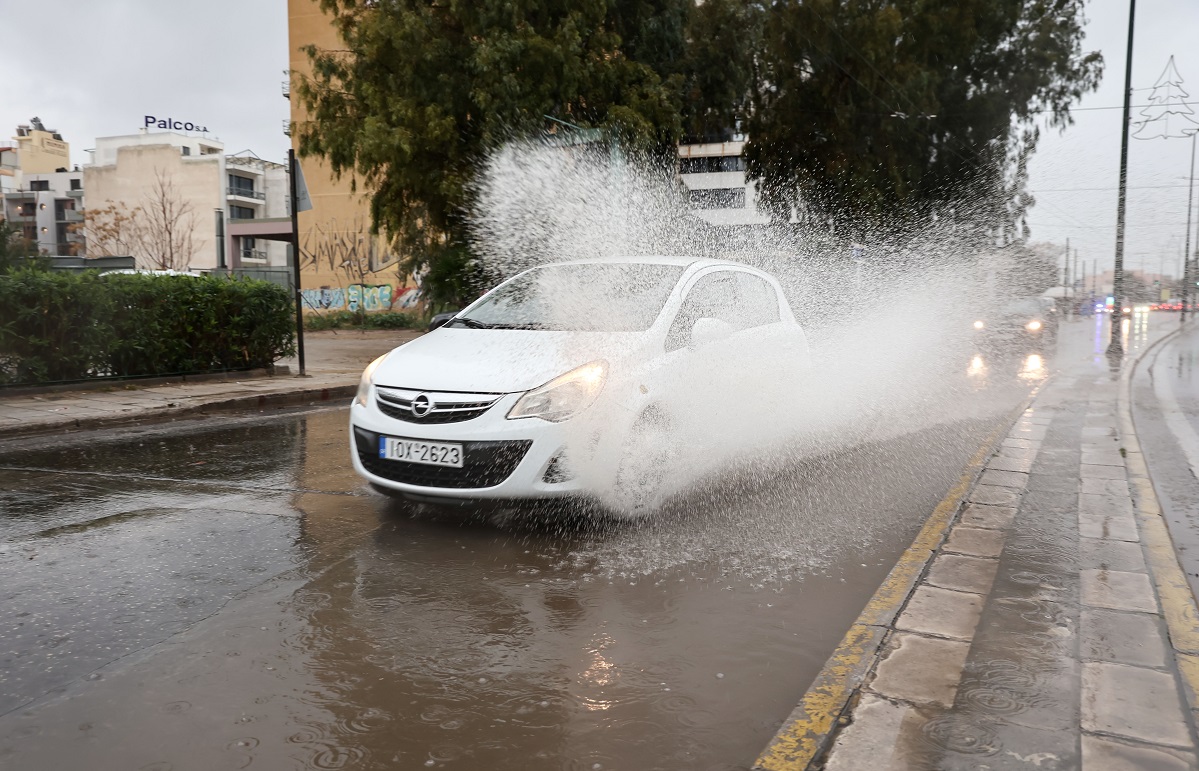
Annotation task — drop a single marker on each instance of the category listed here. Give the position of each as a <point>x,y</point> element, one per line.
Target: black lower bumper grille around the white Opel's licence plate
<point>485,463</point>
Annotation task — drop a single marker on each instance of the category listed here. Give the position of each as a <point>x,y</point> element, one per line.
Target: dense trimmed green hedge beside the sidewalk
<point>63,327</point>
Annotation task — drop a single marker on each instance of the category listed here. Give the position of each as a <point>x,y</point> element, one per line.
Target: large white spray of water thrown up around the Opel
<point>889,332</point>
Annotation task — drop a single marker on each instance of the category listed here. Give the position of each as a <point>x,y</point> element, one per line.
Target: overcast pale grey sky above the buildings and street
<point>220,63</point>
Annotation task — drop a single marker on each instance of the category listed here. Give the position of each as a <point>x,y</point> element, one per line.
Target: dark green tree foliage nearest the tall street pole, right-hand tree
<point>866,109</point>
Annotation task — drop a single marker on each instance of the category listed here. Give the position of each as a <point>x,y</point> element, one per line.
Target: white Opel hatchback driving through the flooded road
<point>575,380</point>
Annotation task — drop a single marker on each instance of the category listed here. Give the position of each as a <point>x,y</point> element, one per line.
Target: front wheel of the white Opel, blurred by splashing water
<point>646,463</point>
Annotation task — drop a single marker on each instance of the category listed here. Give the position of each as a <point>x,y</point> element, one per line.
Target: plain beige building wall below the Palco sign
<point>131,182</point>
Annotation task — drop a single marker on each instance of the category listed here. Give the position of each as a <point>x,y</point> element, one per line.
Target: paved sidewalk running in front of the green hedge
<point>334,363</point>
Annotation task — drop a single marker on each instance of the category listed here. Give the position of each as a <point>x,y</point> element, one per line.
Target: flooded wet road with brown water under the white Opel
<point>228,595</point>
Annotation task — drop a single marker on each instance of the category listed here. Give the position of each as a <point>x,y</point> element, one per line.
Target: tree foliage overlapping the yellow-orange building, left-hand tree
<point>424,91</point>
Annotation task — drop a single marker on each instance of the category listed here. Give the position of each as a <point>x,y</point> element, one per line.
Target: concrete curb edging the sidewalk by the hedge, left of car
<point>162,414</point>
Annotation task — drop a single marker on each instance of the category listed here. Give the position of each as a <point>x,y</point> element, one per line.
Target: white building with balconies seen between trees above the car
<point>715,177</point>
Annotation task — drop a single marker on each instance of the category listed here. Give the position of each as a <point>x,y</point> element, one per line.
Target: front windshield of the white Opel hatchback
<point>593,297</point>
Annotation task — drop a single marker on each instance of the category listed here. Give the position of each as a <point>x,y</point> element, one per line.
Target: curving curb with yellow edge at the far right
<point>1170,580</point>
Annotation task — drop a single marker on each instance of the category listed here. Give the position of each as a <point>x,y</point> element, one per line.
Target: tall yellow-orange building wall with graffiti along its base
<point>339,226</point>
